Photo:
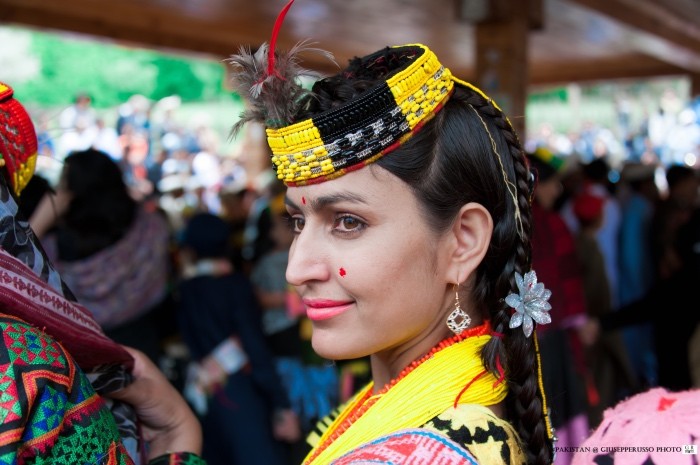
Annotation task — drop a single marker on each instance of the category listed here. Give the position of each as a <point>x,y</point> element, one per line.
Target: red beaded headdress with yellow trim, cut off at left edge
<point>18,143</point>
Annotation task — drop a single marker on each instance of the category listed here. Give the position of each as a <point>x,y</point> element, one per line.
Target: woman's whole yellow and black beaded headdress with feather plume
<point>352,135</point>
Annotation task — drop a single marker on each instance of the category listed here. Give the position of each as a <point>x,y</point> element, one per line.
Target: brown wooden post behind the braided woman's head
<point>502,61</point>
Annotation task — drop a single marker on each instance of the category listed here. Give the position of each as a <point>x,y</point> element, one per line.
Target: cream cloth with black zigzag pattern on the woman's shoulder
<point>488,437</point>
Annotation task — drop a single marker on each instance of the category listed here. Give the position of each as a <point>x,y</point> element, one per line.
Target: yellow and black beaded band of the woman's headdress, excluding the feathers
<point>355,134</point>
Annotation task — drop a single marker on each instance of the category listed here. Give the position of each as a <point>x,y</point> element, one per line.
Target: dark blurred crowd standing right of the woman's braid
<point>622,260</point>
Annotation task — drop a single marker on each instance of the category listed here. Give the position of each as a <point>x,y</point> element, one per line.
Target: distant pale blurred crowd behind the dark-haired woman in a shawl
<point>158,153</point>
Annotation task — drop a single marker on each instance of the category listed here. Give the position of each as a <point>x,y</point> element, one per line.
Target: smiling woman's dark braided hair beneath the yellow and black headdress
<point>451,161</point>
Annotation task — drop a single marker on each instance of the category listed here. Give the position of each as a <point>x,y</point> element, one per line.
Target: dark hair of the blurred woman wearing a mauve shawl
<point>101,210</point>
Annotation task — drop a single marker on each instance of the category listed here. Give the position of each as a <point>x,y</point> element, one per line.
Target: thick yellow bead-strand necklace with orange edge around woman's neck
<point>425,389</point>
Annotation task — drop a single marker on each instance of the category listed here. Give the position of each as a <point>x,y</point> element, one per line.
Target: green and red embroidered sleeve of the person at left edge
<point>49,411</point>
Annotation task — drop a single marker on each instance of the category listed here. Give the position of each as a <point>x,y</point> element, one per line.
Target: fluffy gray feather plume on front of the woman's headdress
<point>273,98</point>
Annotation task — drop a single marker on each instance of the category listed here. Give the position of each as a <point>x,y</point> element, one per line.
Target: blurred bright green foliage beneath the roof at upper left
<point>109,73</point>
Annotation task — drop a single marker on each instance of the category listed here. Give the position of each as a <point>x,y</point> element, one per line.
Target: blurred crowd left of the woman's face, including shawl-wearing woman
<point>180,251</point>
